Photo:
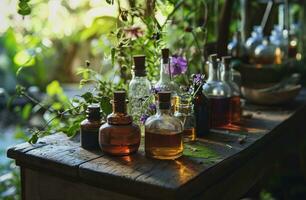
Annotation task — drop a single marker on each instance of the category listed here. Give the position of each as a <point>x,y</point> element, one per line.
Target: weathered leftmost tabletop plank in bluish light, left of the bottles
<point>61,157</point>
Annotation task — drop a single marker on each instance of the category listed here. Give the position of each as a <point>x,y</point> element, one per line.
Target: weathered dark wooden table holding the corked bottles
<point>225,165</point>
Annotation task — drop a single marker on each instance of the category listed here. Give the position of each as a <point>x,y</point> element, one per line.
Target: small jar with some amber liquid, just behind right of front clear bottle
<point>185,113</point>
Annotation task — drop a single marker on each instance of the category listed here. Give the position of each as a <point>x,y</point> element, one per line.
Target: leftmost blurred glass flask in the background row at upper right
<point>236,48</point>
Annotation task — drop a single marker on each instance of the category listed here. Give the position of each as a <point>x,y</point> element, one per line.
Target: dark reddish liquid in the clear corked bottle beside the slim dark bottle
<point>219,111</point>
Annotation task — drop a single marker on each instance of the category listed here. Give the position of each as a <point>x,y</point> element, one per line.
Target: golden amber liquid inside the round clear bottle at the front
<point>163,145</point>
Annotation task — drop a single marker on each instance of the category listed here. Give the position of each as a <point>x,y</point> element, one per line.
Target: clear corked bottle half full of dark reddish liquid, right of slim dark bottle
<point>218,94</point>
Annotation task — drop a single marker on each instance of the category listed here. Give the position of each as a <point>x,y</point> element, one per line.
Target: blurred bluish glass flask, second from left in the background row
<point>253,41</point>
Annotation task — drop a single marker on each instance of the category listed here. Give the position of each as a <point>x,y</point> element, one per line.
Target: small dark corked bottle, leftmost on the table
<point>89,131</point>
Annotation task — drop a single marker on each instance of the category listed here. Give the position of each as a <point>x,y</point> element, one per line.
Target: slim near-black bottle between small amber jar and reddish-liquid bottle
<point>201,112</point>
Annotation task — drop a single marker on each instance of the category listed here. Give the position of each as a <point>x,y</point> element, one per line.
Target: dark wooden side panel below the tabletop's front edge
<point>40,186</point>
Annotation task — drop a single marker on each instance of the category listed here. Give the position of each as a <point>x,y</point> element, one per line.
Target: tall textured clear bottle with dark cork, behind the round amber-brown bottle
<point>139,88</point>
